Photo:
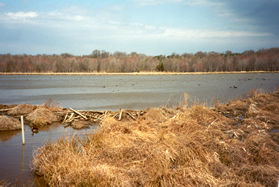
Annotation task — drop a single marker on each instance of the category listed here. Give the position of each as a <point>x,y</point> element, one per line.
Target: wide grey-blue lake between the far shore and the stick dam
<point>112,92</point>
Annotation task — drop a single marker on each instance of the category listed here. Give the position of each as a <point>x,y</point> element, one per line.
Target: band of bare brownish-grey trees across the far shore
<point>102,61</point>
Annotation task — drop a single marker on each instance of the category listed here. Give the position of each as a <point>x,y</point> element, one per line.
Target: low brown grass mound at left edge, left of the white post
<point>9,123</point>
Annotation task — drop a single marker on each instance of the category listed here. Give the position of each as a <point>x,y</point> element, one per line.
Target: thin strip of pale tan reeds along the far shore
<point>134,73</point>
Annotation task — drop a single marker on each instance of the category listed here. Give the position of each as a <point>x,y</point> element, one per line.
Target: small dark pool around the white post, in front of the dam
<point>15,158</point>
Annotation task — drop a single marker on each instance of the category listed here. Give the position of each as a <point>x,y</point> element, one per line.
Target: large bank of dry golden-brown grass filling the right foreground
<point>230,145</point>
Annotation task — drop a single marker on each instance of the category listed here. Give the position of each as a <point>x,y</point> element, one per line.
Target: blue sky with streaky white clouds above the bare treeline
<point>151,27</point>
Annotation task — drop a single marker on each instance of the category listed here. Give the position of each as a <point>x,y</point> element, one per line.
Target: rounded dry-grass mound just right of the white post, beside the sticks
<point>42,116</point>
